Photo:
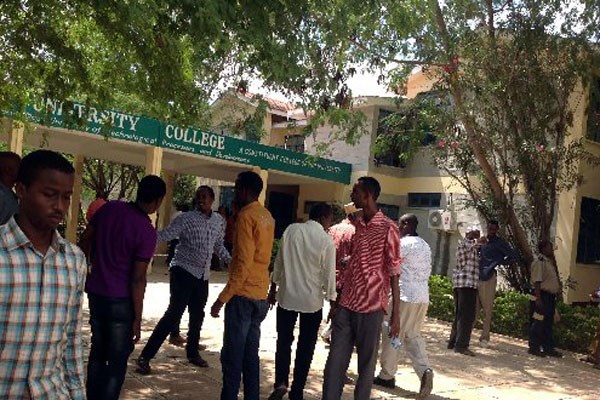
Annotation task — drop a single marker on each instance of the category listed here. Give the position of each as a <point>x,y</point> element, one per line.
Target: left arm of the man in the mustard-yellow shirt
<point>241,265</point>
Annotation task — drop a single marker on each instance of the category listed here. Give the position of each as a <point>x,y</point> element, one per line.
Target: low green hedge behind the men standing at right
<point>511,316</point>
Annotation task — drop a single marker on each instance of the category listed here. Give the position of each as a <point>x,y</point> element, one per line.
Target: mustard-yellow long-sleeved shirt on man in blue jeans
<point>252,246</point>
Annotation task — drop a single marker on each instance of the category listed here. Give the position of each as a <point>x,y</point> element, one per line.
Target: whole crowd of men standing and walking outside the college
<point>373,271</point>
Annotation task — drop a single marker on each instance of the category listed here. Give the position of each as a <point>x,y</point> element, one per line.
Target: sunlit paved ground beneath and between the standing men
<point>503,371</point>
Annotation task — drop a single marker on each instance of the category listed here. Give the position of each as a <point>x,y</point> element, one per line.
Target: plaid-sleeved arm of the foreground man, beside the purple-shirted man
<point>73,354</point>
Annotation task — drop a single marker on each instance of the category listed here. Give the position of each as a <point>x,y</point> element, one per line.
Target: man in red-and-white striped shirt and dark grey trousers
<point>373,268</point>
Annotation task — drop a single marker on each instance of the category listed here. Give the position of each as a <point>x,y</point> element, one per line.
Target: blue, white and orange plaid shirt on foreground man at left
<point>41,350</point>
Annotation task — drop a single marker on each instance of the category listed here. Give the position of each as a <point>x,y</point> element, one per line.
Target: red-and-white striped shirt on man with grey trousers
<point>375,258</point>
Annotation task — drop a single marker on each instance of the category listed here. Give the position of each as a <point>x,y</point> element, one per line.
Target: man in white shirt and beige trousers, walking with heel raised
<point>414,301</point>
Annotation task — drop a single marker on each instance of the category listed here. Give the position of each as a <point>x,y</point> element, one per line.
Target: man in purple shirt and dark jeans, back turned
<point>120,241</point>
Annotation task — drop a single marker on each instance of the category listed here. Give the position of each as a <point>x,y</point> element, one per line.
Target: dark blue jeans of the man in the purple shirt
<point>111,320</point>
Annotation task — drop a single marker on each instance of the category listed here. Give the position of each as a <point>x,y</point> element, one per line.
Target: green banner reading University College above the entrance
<point>134,128</point>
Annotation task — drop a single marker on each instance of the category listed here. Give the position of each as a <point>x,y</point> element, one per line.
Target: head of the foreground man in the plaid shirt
<point>44,188</point>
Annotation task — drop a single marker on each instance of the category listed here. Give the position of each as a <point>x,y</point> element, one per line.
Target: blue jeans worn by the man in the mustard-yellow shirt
<point>239,355</point>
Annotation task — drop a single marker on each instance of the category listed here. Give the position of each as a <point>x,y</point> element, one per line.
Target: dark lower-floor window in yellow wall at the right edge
<point>588,244</point>
